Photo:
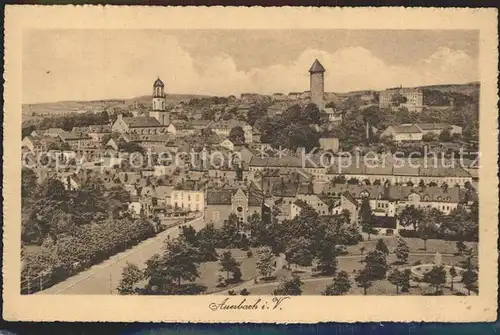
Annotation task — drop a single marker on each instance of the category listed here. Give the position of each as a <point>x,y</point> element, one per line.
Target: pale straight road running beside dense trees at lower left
<point>103,278</point>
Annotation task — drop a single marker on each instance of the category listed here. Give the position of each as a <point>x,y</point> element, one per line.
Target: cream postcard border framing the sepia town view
<point>305,309</point>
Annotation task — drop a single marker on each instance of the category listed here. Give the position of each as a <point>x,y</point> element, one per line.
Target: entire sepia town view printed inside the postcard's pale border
<point>325,163</point>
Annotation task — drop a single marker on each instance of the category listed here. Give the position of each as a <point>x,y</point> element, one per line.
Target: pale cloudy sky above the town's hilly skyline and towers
<point>102,64</point>
